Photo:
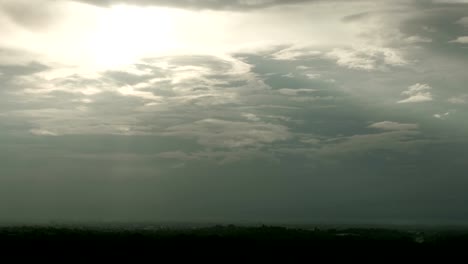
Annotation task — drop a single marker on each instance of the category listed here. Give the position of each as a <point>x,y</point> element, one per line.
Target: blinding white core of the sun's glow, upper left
<point>125,33</point>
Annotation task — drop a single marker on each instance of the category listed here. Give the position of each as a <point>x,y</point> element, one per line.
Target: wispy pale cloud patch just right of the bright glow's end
<point>367,57</point>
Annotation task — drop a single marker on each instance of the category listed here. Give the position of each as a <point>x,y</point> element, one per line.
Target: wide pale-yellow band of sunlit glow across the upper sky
<point>97,38</point>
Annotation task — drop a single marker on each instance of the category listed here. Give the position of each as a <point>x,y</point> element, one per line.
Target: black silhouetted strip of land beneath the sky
<point>232,240</point>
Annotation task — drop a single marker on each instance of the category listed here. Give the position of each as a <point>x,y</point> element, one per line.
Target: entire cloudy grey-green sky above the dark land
<point>238,110</point>
